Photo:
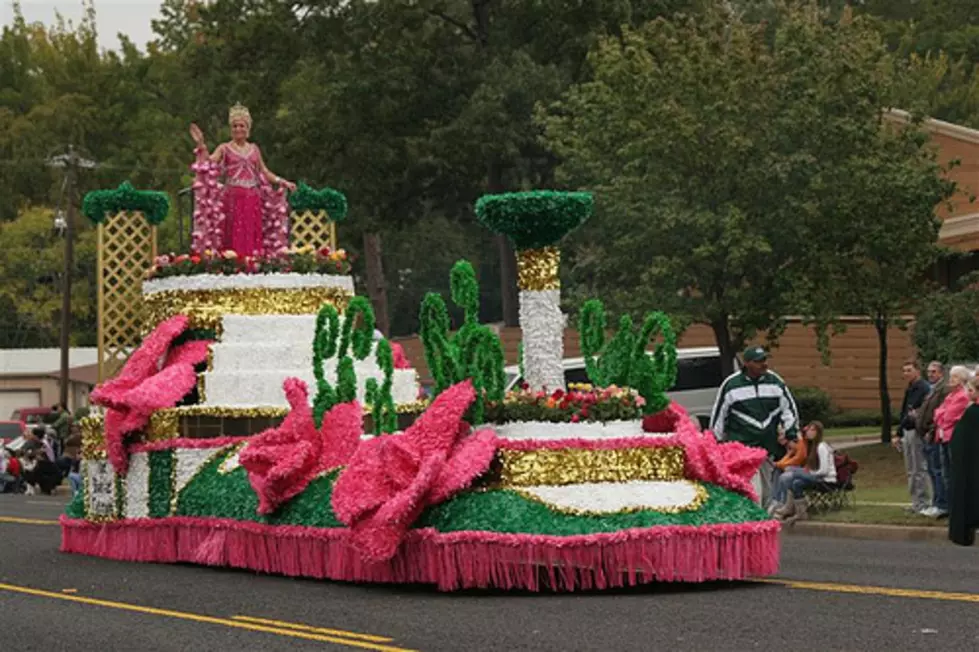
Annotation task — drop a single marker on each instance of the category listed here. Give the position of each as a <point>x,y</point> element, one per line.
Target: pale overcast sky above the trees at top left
<point>131,17</point>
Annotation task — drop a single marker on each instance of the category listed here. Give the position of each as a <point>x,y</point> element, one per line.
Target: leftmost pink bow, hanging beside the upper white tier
<point>145,385</point>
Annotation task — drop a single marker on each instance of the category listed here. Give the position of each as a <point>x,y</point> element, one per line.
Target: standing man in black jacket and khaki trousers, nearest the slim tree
<point>906,437</point>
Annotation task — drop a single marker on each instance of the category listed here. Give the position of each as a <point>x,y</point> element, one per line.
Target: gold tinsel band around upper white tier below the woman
<point>206,307</point>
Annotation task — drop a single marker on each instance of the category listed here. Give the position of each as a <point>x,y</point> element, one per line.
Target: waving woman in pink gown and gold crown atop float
<point>244,171</point>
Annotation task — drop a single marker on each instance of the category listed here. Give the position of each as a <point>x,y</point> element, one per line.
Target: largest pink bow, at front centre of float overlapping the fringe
<point>392,478</point>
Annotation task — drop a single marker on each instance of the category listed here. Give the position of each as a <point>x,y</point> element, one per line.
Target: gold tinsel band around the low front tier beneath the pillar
<point>578,465</point>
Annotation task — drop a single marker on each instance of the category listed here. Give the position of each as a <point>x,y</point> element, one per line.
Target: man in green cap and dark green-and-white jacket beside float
<point>752,406</point>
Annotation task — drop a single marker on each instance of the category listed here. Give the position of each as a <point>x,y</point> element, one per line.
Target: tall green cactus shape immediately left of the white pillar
<point>474,351</point>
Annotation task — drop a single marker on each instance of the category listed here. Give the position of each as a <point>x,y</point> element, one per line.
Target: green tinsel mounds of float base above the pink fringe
<point>214,495</point>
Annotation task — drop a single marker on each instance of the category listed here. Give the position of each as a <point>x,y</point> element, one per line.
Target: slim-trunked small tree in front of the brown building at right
<point>890,192</point>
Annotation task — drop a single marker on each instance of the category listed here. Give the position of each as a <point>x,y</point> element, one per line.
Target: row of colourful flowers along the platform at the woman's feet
<point>301,260</point>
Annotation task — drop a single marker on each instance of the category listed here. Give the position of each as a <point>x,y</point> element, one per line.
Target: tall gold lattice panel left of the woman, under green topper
<point>127,247</point>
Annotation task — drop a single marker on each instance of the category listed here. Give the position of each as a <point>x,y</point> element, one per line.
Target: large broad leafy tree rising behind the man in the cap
<point>708,141</point>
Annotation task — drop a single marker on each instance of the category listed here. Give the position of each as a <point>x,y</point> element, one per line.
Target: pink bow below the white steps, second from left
<point>282,461</point>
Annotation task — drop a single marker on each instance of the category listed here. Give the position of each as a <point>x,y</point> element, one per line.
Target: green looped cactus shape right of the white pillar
<point>623,361</point>
